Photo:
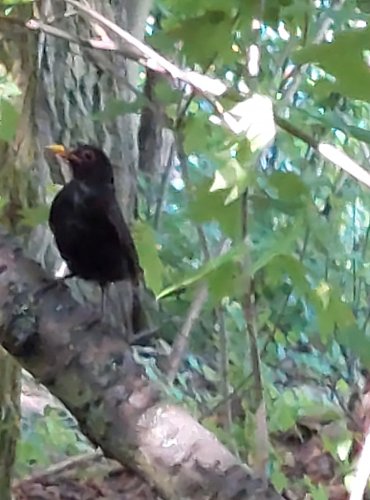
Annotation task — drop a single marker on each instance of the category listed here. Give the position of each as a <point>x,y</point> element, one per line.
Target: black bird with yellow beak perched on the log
<point>86,220</point>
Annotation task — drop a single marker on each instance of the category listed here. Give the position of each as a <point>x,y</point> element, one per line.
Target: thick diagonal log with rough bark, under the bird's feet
<point>88,367</point>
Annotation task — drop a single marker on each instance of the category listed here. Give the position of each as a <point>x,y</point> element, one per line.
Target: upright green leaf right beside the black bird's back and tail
<point>145,242</point>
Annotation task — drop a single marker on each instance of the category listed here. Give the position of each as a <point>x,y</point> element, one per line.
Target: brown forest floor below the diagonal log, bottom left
<point>88,476</point>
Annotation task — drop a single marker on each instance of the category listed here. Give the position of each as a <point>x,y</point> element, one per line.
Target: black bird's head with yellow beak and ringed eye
<point>89,164</point>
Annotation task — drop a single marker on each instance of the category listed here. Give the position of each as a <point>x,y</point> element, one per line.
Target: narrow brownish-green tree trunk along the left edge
<point>17,189</point>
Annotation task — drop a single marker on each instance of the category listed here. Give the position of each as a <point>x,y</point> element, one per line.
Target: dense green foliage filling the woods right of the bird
<point>261,215</point>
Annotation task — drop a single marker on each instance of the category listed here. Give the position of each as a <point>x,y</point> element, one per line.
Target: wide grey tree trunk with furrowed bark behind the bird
<point>73,84</point>
